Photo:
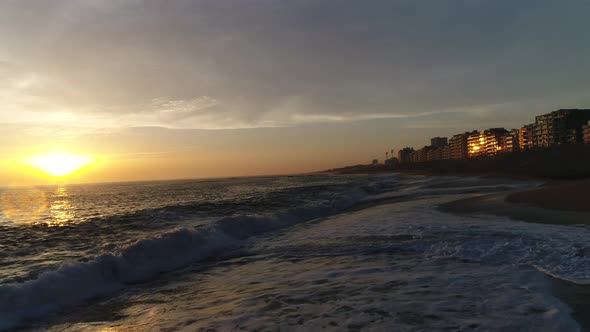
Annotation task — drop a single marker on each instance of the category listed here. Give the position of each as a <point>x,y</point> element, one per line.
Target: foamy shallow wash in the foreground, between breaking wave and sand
<point>404,266</point>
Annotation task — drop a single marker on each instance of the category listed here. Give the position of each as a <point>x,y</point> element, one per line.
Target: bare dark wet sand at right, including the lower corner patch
<point>560,204</point>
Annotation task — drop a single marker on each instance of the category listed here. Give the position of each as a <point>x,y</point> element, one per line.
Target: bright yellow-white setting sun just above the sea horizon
<point>58,164</point>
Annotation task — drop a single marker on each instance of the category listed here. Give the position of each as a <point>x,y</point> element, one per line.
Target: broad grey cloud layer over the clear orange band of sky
<point>247,64</point>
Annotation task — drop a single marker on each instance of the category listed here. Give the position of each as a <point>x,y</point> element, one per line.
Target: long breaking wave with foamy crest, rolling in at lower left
<point>105,274</point>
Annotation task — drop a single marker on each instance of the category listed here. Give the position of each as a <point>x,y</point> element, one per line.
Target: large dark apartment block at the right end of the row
<point>563,126</point>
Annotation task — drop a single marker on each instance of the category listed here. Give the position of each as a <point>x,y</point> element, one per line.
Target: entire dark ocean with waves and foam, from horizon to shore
<point>314,252</point>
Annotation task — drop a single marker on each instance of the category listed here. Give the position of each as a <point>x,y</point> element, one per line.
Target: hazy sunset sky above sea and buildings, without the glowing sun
<point>214,88</point>
